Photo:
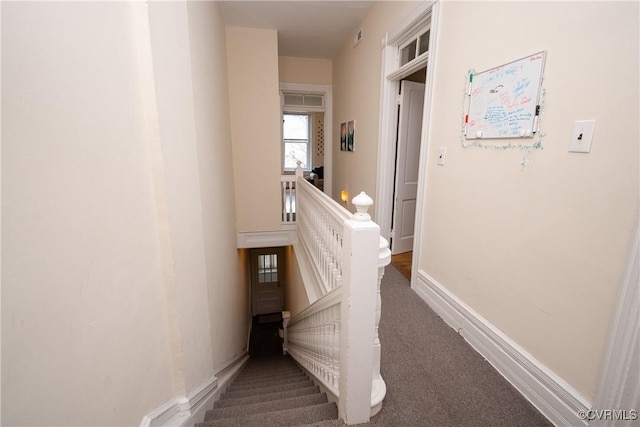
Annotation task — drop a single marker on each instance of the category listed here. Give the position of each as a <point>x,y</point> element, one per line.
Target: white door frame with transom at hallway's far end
<point>326,92</point>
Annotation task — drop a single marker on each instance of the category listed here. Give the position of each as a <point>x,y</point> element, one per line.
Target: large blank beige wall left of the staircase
<point>122,288</point>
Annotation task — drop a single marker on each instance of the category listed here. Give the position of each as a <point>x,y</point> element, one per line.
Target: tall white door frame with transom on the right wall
<point>391,76</point>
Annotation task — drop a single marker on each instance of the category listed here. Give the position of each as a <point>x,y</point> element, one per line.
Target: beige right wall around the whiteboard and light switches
<point>540,252</point>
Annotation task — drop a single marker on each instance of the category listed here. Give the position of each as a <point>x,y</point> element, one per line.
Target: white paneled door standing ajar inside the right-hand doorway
<point>407,165</point>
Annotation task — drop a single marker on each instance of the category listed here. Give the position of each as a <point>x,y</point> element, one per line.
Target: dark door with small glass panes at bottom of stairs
<point>267,273</point>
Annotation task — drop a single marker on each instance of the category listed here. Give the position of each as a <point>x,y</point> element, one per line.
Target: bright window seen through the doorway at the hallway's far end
<point>296,141</point>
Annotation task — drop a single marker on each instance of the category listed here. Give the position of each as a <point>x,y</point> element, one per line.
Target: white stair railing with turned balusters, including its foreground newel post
<point>336,338</point>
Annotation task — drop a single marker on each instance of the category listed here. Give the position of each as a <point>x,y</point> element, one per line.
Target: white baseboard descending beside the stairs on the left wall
<point>185,411</point>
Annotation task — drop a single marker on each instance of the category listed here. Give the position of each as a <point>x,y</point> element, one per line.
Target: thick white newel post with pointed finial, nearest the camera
<point>361,248</point>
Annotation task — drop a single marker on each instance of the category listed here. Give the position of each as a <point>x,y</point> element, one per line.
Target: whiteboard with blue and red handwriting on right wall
<point>504,101</point>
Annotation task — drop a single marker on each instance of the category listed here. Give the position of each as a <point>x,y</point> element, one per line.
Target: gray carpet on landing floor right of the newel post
<point>434,378</point>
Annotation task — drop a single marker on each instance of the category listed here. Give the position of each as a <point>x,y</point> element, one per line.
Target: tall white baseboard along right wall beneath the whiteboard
<point>551,395</point>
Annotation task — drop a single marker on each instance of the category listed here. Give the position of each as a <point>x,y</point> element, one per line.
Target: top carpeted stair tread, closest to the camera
<point>284,418</point>
